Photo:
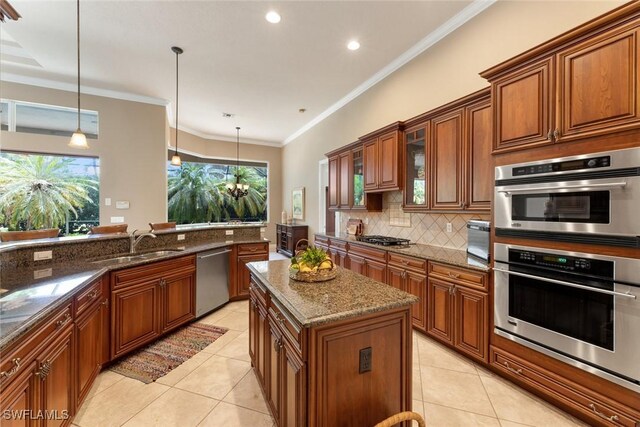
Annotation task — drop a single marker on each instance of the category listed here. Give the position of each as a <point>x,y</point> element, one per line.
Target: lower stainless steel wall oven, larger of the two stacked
<point>581,308</point>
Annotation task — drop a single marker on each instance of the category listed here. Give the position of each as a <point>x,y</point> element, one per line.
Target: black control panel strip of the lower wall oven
<point>562,262</point>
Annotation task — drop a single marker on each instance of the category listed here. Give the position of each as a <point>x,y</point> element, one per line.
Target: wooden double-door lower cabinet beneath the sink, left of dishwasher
<point>150,300</point>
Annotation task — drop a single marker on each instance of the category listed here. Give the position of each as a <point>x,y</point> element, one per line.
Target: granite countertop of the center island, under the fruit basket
<point>348,295</point>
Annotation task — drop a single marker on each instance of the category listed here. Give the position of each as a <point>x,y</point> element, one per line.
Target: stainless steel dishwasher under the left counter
<point>212,280</point>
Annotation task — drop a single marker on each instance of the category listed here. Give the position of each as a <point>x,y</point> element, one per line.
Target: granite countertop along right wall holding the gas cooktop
<point>428,252</point>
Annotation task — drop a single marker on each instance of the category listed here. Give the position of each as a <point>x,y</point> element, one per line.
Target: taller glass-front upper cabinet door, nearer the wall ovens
<point>416,193</point>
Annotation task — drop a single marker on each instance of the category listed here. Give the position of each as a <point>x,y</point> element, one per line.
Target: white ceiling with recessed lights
<point>234,60</point>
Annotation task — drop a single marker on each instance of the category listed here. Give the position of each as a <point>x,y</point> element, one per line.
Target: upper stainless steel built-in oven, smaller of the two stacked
<point>590,198</point>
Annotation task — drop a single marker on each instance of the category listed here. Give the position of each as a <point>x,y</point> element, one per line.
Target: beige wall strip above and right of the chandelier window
<point>227,150</point>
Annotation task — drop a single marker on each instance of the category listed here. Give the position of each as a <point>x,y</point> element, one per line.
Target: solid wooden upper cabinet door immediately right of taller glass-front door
<point>447,161</point>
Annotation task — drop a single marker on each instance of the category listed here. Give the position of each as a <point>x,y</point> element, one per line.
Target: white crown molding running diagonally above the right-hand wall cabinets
<point>441,32</point>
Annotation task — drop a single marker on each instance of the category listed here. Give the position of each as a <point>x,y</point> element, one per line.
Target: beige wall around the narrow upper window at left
<point>131,146</point>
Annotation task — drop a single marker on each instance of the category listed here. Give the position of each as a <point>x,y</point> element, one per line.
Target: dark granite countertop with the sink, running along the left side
<point>28,294</point>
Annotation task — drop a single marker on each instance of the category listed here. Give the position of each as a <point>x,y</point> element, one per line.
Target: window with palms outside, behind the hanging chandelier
<point>197,191</point>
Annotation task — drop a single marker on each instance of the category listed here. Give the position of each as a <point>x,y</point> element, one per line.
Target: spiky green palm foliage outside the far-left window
<point>39,191</point>
